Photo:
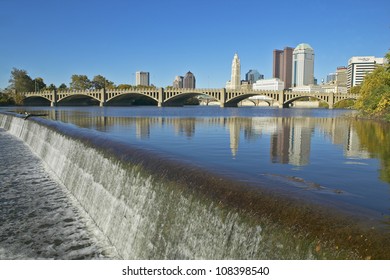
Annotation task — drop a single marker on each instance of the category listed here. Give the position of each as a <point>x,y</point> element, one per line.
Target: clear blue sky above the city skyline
<point>55,39</point>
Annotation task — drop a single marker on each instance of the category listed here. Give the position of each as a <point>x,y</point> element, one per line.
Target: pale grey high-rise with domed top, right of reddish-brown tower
<point>303,65</point>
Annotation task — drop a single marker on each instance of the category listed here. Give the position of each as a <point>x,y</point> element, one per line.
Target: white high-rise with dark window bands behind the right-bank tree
<point>359,67</point>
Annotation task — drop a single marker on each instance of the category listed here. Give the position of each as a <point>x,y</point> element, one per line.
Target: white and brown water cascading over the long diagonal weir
<point>152,208</point>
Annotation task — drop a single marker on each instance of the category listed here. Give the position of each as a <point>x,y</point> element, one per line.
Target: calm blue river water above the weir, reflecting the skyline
<point>317,156</point>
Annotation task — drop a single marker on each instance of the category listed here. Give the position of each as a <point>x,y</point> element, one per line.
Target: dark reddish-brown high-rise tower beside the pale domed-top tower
<point>282,66</point>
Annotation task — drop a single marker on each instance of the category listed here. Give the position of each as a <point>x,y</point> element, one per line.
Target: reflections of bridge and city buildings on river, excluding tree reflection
<point>290,138</point>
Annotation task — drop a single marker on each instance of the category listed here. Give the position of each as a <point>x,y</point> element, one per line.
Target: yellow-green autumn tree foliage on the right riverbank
<point>374,99</point>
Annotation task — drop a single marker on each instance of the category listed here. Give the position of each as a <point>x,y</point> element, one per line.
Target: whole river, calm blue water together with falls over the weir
<point>333,168</point>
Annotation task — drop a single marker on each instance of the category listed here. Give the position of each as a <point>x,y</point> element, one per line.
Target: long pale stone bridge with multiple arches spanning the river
<point>177,96</point>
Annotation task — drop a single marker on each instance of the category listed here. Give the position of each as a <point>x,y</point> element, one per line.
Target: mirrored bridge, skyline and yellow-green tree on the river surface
<point>290,138</point>
